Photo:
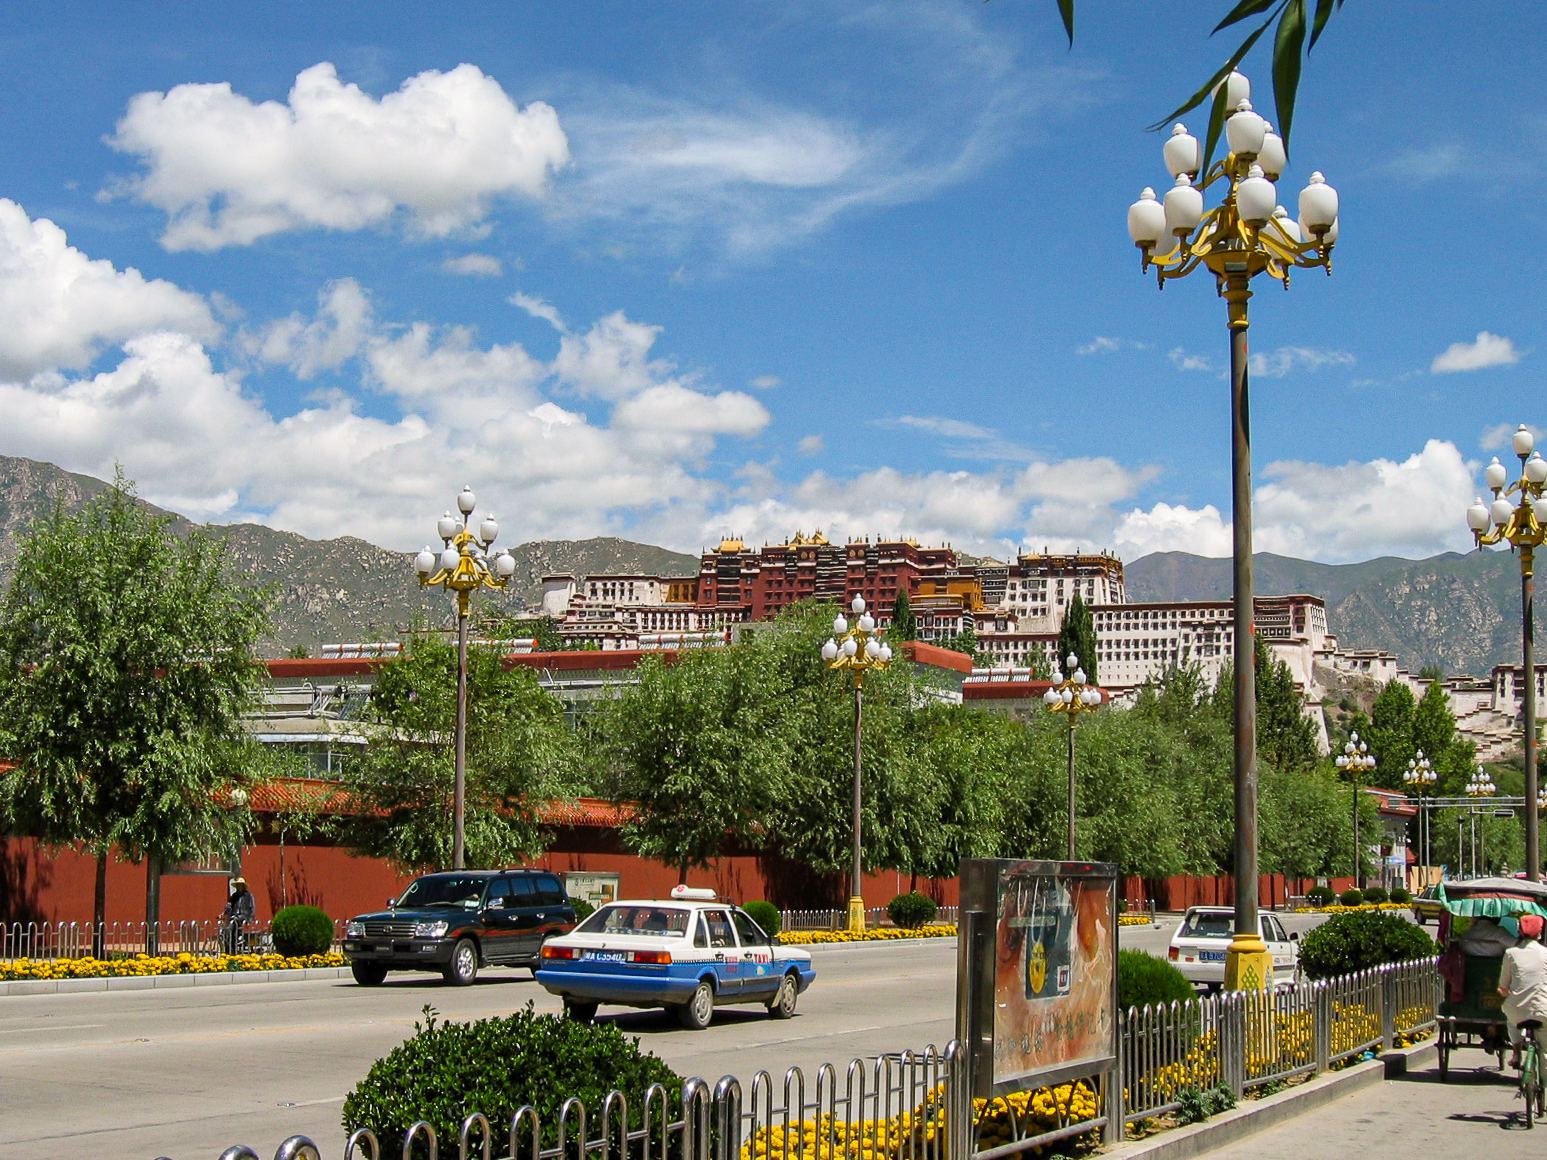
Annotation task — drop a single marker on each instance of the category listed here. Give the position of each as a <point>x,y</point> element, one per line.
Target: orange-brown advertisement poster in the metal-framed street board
<point>1054,971</point>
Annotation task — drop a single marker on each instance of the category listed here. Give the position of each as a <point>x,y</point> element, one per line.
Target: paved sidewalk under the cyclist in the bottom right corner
<point>1415,1117</point>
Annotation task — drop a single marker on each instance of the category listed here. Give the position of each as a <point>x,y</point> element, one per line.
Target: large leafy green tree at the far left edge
<point>128,658</point>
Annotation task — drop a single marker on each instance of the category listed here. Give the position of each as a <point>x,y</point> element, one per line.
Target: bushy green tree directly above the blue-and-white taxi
<point>703,754</point>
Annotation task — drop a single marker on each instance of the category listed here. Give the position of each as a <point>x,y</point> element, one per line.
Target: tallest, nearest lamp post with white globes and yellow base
<point>1248,234</point>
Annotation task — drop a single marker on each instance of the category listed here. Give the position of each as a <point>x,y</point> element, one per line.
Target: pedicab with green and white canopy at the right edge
<point>1477,927</point>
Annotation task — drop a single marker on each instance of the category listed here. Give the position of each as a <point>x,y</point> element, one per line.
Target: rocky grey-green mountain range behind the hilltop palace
<point>1457,612</point>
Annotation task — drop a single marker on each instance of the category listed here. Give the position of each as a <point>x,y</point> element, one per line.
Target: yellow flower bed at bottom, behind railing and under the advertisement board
<point>1000,1122</point>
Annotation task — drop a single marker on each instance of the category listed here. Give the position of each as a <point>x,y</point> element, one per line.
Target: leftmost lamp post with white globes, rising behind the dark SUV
<point>463,567</point>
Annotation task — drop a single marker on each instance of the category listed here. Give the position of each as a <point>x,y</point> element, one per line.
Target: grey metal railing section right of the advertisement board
<point>1251,1039</point>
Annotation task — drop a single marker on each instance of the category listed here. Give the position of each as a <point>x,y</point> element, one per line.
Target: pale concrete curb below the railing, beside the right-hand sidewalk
<point>1257,1116</point>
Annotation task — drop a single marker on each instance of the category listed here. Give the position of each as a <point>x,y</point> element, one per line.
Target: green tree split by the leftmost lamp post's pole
<point>521,754</point>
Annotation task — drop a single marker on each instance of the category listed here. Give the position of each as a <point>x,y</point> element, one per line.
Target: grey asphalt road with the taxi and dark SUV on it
<point>186,1073</point>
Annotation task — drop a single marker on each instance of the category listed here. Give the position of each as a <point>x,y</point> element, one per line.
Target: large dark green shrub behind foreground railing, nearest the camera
<point>448,1071</point>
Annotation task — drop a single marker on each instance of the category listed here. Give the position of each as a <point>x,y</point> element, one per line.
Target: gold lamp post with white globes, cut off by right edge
<point>1521,525</point>
